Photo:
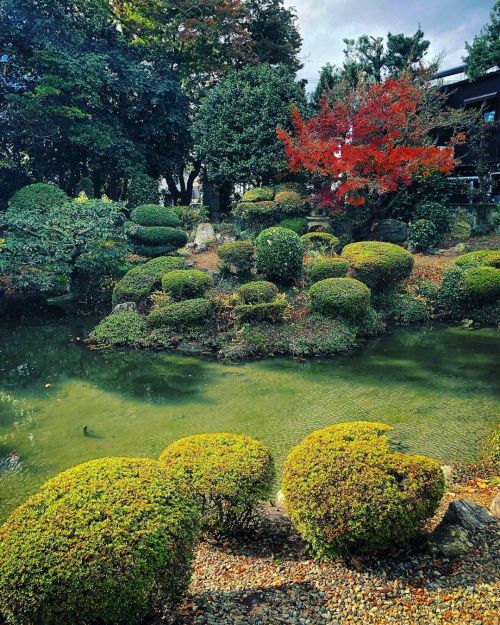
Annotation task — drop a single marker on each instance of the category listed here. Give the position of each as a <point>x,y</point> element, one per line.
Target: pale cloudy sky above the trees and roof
<point>447,24</point>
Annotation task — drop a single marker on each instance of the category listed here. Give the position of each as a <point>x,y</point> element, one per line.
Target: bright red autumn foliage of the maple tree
<point>373,141</point>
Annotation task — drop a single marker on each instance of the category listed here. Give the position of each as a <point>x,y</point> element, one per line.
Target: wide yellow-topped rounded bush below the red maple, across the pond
<point>377,264</point>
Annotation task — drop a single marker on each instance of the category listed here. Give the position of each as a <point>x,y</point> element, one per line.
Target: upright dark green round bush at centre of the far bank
<point>279,254</point>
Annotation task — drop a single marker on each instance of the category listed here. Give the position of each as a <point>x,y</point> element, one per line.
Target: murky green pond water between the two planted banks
<point>439,387</point>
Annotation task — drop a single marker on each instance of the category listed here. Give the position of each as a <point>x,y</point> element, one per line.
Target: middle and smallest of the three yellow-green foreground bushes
<point>229,473</point>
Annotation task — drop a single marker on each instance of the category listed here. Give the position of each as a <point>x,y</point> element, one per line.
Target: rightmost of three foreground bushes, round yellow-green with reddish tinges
<point>347,492</point>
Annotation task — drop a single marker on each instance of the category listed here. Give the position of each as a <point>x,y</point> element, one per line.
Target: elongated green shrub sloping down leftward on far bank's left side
<point>138,283</point>
